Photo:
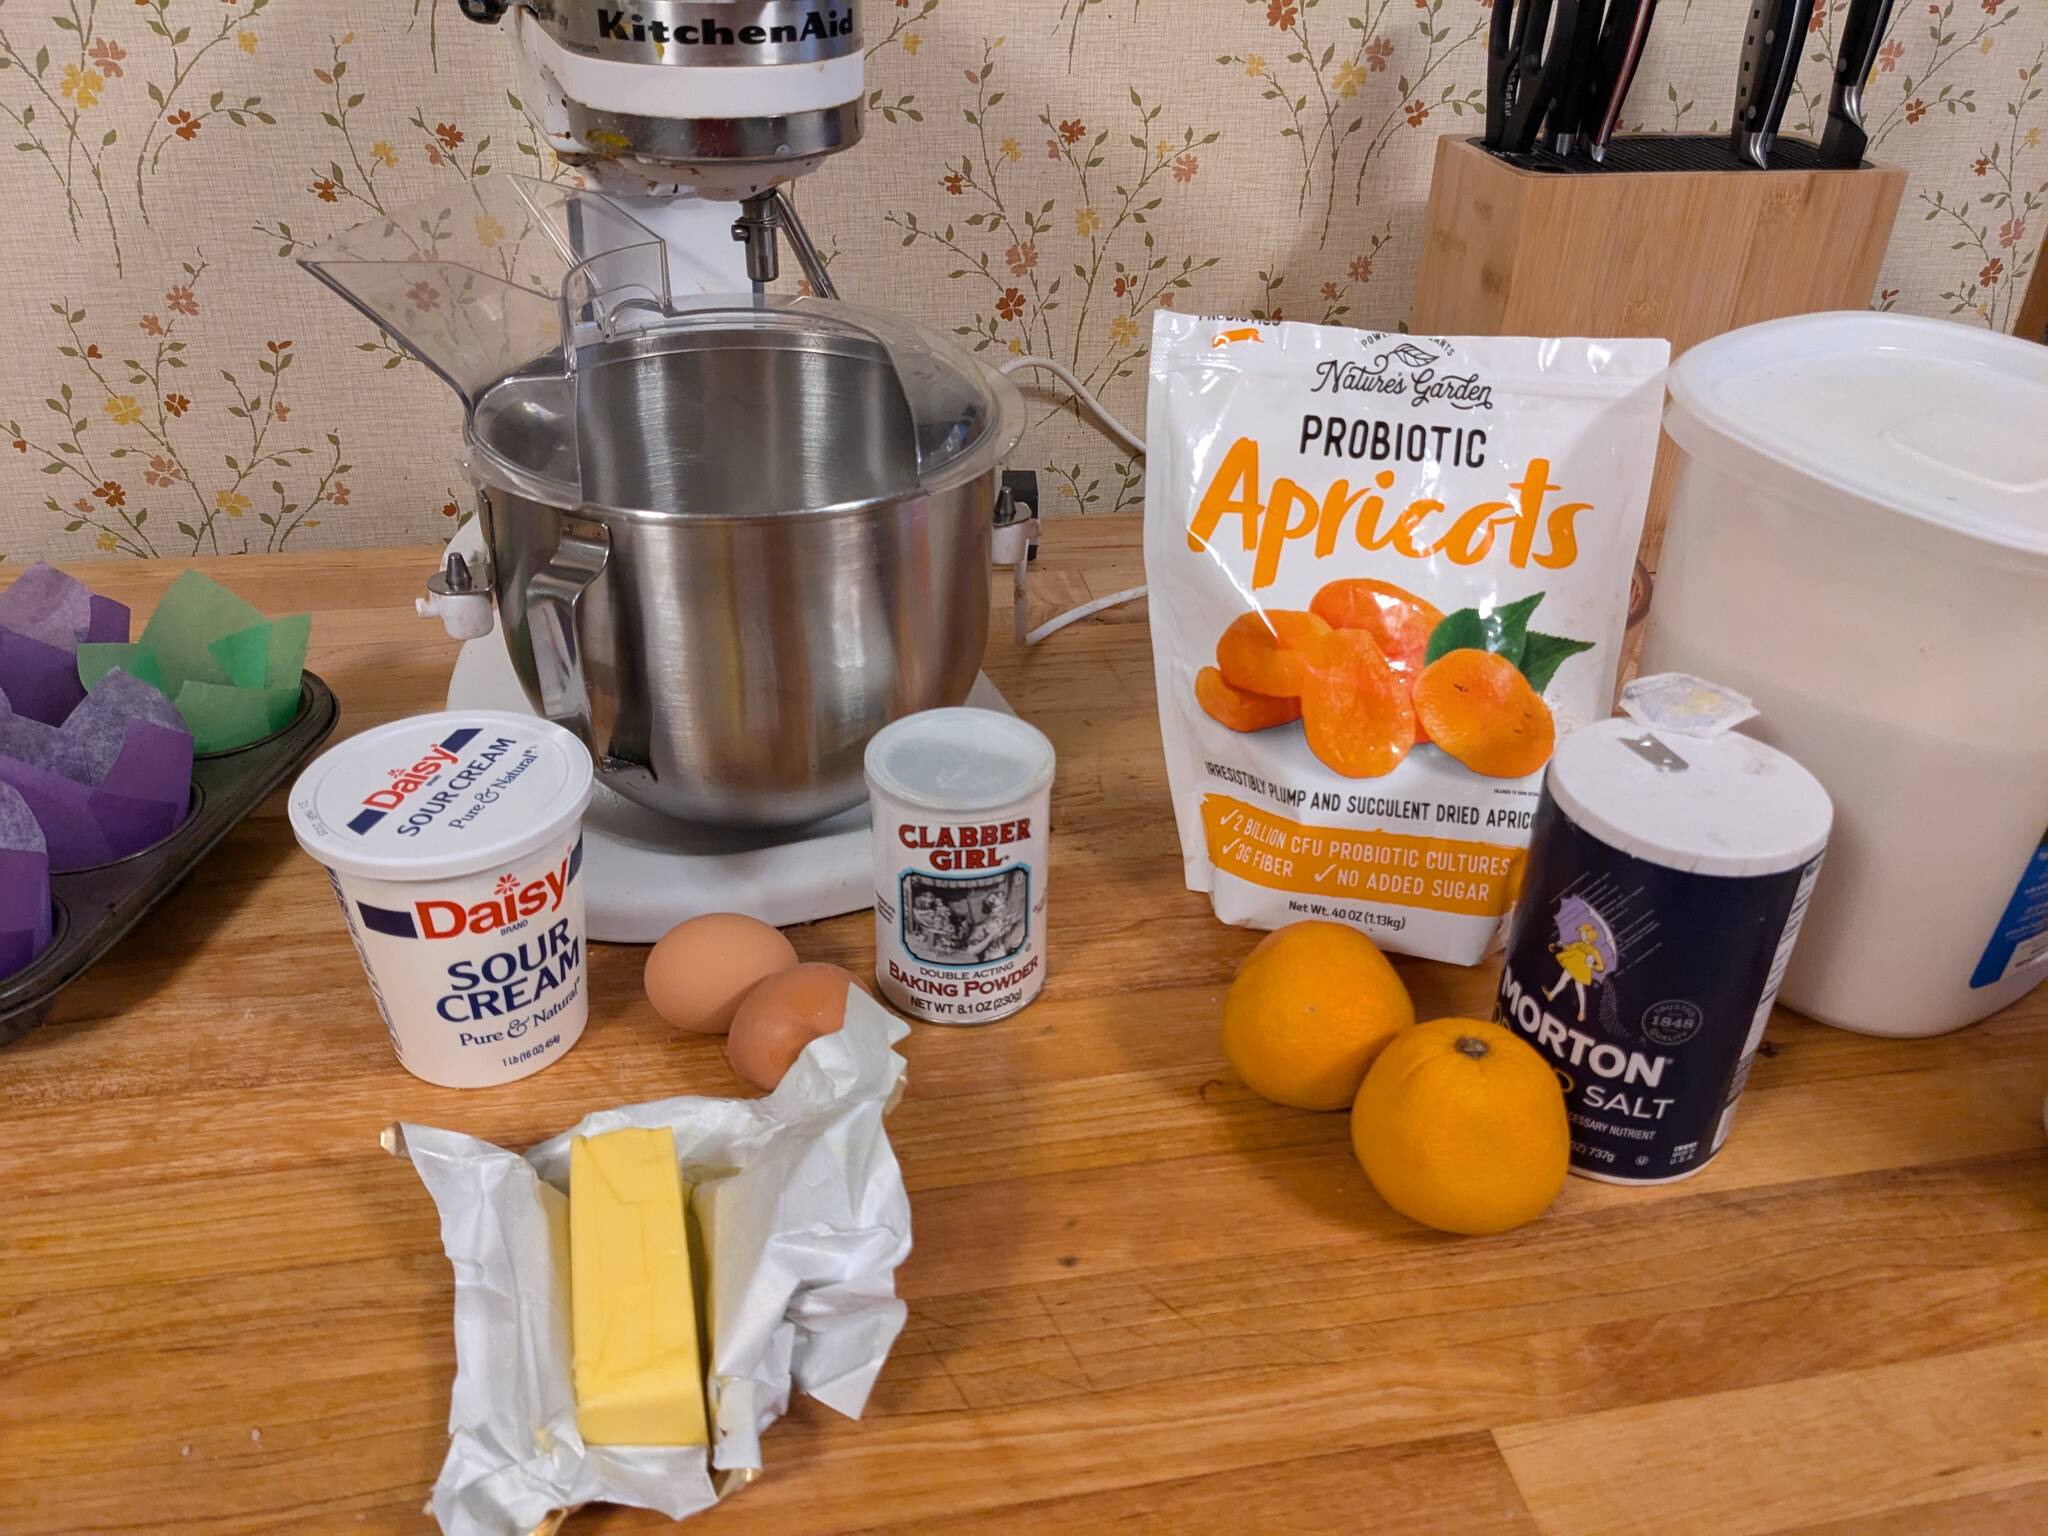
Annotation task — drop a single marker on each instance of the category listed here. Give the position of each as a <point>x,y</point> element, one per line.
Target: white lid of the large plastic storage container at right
<point>1922,417</point>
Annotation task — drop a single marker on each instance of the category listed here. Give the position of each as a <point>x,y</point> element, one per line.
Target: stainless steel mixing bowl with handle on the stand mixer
<point>736,544</point>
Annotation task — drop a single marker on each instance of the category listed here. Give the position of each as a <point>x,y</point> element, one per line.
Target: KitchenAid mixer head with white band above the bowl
<point>726,99</point>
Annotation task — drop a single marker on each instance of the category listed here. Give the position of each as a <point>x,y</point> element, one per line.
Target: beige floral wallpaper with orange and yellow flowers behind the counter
<point>1035,179</point>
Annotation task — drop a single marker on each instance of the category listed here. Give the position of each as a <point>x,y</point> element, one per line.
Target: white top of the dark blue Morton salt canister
<point>1707,806</point>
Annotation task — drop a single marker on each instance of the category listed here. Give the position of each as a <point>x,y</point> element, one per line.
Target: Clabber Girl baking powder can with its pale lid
<point>962,802</point>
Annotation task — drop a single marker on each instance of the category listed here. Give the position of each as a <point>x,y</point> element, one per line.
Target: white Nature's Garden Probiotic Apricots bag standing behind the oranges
<point>1385,574</point>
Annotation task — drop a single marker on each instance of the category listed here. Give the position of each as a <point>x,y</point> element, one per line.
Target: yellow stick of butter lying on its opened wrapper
<point>640,1379</point>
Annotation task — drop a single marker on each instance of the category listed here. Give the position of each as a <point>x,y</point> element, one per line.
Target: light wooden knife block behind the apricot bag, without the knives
<point>1646,253</point>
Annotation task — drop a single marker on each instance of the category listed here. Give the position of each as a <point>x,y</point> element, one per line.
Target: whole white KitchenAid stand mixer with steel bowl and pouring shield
<point>726,538</point>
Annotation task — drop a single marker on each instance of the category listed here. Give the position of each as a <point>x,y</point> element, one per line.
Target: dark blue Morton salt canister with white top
<point>1664,890</point>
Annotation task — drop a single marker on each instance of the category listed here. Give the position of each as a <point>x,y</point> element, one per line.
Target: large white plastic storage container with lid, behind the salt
<point>1859,540</point>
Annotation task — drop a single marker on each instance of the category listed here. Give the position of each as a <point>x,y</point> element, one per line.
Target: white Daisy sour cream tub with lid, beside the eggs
<point>456,851</point>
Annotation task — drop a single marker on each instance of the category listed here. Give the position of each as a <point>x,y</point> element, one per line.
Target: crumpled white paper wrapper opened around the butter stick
<point>804,1218</point>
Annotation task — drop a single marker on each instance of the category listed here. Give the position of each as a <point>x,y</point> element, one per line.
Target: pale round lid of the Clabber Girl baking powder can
<point>959,761</point>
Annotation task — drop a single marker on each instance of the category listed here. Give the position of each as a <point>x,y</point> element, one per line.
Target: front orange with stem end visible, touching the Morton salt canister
<point>1461,1127</point>
